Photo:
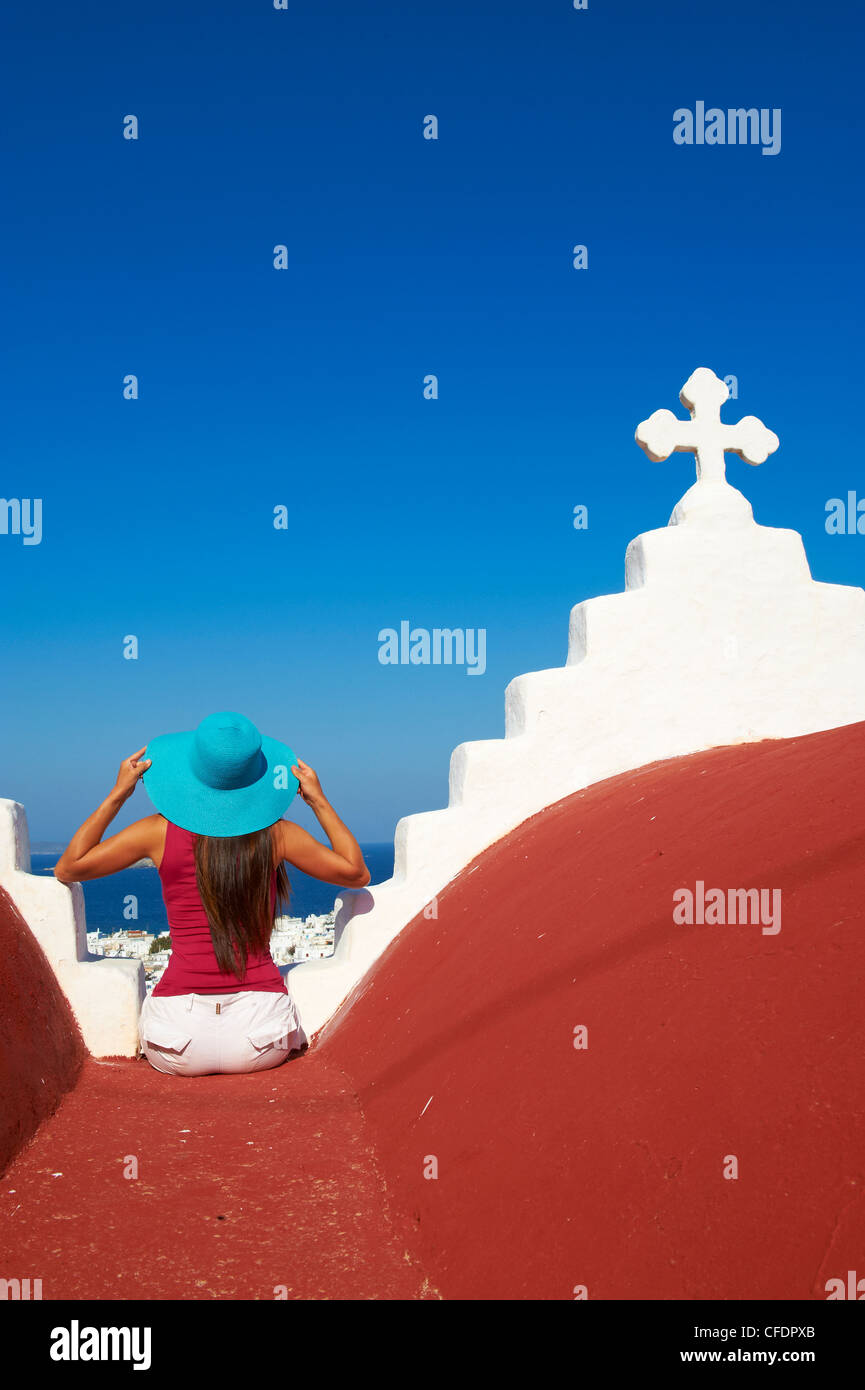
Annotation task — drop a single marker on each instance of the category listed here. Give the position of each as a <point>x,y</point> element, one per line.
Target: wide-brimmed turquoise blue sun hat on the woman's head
<point>223,779</point>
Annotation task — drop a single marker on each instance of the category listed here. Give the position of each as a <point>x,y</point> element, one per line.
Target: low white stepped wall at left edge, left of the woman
<point>105,995</point>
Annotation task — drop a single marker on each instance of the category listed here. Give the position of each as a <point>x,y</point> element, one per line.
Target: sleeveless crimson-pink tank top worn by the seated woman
<point>193,967</point>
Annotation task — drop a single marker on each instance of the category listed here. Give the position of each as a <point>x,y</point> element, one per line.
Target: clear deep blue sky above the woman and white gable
<point>304,387</point>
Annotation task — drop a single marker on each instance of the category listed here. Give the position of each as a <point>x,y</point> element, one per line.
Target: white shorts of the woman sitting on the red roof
<point>194,1035</point>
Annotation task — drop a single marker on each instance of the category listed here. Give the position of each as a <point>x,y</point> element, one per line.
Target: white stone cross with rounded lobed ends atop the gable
<point>704,434</point>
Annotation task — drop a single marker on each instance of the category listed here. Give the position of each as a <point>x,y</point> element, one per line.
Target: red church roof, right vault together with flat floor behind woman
<point>710,1050</point>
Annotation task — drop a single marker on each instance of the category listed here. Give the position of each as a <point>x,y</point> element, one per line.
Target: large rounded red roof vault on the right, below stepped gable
<point>604,1166</point>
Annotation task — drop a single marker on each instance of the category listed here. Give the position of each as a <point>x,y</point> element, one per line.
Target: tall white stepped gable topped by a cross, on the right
<point>721,637</point>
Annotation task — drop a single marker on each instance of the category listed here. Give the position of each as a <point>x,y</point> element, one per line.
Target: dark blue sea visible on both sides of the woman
<point>112,901</point>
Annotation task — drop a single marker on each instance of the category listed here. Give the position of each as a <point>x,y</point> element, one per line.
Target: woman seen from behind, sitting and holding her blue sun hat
<point>219,843</point>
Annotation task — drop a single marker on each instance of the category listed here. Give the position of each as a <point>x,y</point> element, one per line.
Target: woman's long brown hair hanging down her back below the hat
<point>234,875</point>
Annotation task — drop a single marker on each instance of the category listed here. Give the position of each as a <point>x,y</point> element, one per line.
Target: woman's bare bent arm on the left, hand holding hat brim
<point>86,857</point>
